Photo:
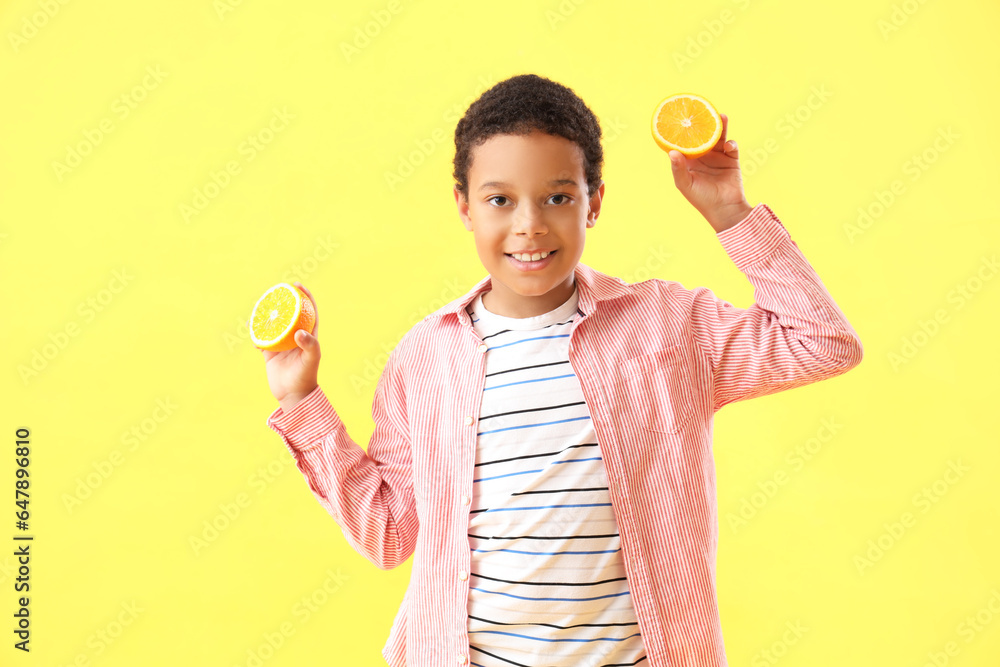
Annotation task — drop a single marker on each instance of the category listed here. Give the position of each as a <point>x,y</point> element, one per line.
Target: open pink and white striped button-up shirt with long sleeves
<point>655,362</point>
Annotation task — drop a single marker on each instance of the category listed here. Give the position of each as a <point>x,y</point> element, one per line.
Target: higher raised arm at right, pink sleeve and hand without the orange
<point>794,334</point>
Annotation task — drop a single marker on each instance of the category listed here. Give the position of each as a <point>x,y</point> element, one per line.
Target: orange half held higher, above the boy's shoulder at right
<point>686,123</point>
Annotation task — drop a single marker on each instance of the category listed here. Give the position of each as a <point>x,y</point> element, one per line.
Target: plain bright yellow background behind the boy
<point>171,295</point>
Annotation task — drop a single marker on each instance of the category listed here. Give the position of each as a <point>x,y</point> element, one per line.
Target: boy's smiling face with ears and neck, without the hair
<point>528,193</point>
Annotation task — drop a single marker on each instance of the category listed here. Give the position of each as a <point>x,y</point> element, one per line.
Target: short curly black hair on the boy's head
<point>519,105</point>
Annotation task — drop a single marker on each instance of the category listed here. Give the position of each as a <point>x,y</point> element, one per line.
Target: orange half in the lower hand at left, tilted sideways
<point>283,310</point>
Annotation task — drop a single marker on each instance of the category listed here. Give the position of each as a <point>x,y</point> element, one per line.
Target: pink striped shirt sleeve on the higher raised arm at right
<point>794,333</point>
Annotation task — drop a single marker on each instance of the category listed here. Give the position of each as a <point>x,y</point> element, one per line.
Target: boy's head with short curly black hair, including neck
<point>528,163</point>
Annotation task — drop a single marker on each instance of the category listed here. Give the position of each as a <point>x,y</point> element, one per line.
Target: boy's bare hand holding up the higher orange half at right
<point>712,182</point>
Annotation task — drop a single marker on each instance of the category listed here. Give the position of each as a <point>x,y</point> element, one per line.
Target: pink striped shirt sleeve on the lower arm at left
<point>370,495</point>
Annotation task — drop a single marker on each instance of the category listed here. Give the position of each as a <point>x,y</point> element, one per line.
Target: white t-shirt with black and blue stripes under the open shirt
<point>548,586</point>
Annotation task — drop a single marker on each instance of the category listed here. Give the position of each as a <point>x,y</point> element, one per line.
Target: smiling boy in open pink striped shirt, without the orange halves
<point>542,445</point>
